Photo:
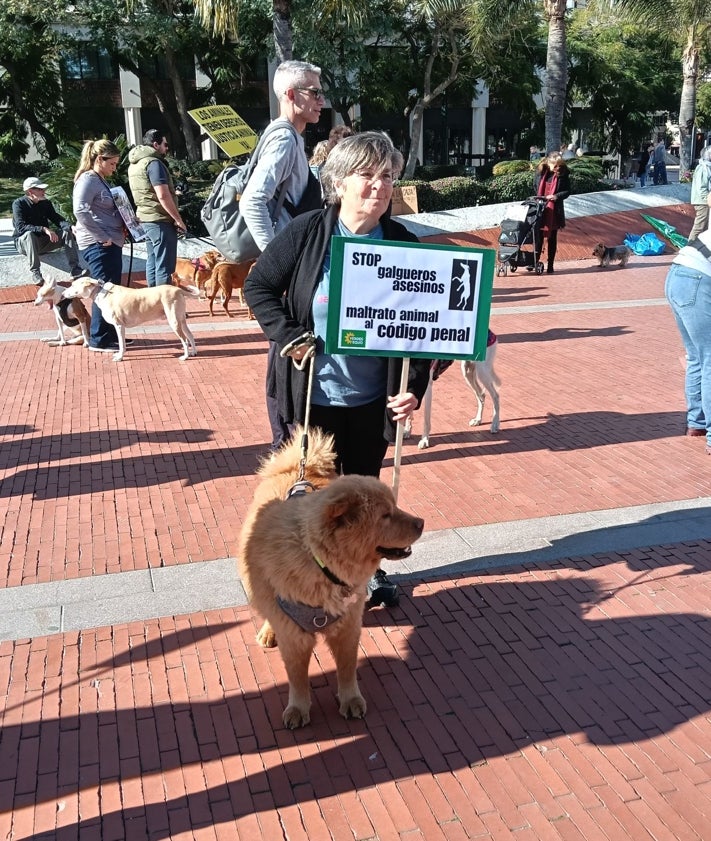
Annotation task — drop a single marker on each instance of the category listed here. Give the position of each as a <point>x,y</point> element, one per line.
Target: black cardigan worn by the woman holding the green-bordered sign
<point>292,266</point>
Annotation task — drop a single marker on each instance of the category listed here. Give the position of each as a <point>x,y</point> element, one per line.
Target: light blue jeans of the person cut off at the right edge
<point>689,294</point>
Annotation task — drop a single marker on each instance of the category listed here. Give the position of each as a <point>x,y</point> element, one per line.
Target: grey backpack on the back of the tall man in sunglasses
<point>221,214</point>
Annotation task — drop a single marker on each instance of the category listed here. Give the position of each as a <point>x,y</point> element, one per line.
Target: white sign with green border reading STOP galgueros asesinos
<point>408,299</point>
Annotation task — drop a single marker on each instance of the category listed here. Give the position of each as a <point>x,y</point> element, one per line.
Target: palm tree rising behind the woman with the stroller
<point>496,16</point>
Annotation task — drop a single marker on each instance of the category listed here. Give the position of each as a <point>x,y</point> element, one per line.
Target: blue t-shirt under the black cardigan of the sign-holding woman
<point>343,380</point>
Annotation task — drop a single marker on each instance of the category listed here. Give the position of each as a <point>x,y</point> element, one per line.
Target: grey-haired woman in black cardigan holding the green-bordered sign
<point>355,398</point>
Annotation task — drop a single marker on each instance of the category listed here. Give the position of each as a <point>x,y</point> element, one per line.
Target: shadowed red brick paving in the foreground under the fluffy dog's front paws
<point>566,703</point>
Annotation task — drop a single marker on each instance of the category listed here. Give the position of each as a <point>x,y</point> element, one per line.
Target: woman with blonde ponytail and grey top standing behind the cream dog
<point>99,229</point>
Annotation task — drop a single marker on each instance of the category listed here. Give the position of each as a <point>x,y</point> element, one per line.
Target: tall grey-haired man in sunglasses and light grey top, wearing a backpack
<point>282,177</point>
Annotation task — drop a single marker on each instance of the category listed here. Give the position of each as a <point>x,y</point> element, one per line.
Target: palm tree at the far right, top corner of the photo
<point>688,22</point>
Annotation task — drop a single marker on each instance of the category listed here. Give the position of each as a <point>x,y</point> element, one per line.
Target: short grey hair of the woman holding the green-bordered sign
<point>372,150</point>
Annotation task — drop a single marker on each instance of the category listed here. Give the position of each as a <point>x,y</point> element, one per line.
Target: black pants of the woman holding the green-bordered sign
<point>358,431</point>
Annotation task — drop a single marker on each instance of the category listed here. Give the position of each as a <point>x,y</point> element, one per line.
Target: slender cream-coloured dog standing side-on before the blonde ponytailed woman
<point>124,307</point>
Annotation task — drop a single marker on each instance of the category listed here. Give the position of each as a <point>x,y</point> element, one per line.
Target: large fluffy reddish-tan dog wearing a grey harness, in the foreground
<point>305,562</point>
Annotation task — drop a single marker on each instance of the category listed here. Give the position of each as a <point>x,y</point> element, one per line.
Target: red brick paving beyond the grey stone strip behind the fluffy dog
<point>151,462</point>
